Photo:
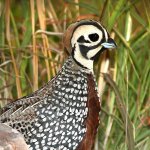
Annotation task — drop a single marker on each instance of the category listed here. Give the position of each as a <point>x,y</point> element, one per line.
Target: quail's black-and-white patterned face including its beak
<point>88,39</point>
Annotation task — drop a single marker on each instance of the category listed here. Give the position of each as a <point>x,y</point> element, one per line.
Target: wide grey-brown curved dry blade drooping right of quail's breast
<point>123,112</point>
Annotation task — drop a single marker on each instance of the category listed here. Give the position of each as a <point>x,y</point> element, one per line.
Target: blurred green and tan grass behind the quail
<point>29,58</point>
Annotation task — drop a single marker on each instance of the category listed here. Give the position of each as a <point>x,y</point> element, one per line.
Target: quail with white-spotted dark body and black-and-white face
<point>64,114</point>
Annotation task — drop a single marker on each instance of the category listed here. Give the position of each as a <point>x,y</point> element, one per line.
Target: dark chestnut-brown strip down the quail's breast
<point>92,121</point>
